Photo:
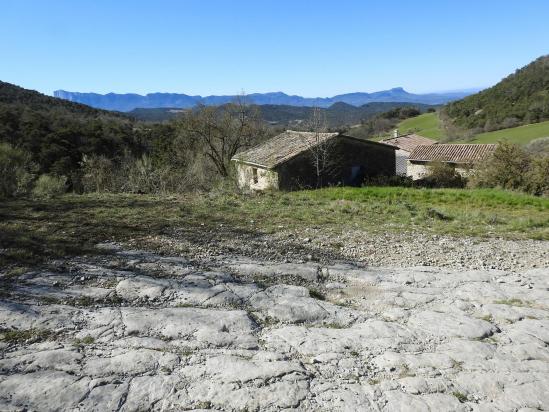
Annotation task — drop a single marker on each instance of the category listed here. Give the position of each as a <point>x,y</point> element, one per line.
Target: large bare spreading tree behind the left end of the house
<point>224,130</point>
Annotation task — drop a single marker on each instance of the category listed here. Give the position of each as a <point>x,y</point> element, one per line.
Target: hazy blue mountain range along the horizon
<point>130,101</point>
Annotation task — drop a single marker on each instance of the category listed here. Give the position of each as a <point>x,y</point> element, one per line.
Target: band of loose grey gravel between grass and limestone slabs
<point>400,250</point>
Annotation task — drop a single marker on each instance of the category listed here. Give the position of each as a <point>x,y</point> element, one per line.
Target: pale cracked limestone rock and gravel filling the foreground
<point>280,323</point>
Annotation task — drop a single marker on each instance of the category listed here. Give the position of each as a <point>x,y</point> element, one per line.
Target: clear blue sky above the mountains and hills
<point>310,48</point>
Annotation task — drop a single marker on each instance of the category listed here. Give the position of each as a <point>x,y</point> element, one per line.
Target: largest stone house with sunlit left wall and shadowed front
<point>291,161</point>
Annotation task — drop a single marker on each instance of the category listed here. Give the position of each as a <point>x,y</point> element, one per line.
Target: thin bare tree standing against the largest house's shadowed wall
<point>321,148</point>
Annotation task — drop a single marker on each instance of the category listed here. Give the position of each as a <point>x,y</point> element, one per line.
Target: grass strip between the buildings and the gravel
<point>32,230</point>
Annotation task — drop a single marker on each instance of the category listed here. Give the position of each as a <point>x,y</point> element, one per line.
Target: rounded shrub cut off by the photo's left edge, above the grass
<point>16,171</point>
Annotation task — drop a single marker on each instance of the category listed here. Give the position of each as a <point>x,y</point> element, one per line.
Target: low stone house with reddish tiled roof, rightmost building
<point>463,157</point>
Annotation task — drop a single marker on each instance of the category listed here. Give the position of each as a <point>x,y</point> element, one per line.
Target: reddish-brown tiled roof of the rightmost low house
<point>454,153</point>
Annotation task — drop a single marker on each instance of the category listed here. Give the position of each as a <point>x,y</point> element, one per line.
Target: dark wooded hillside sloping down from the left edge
<point>57,133</point>
